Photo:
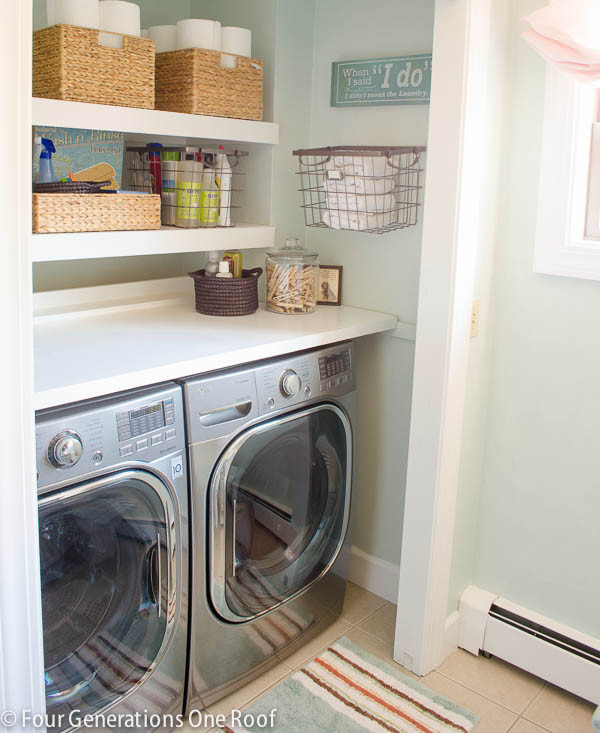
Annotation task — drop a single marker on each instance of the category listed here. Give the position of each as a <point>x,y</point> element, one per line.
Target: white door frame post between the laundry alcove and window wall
<point>456,165</point>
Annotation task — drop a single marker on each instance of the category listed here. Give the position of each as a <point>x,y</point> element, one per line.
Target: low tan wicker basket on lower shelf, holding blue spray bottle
<point>100,212</point>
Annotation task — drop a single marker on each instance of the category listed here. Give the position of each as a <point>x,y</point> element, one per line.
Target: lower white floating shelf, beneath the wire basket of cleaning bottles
<point>167,240</point>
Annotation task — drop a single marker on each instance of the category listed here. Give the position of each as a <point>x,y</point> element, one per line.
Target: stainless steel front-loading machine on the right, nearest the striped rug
<point>270,461</point>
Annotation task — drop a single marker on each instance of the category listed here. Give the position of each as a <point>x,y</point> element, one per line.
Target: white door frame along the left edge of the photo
<point>21,644</point>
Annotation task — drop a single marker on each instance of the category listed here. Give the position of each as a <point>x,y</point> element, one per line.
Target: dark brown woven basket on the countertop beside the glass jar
<point>219,296</point>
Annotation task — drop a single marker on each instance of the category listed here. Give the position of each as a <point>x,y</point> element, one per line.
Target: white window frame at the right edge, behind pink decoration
<point>561,247</point>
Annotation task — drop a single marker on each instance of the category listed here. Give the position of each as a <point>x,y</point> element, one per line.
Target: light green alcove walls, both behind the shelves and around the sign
<point>299,41</point>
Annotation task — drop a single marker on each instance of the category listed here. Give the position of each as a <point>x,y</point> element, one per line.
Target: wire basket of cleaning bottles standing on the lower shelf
<point>197,186</point>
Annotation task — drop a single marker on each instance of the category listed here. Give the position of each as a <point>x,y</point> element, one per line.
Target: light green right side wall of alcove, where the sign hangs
<point>380,272</point>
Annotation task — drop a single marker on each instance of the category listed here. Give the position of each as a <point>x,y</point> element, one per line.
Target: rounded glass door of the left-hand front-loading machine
<point>108,551</point>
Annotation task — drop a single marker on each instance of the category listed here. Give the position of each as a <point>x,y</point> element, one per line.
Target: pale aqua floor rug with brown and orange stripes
<point>347,690</point>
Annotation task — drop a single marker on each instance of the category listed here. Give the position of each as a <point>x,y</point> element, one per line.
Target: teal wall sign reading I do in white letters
<point>393,80</point>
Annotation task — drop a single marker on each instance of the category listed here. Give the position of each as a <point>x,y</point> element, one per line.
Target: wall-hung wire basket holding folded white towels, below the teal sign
<point>360,188</point>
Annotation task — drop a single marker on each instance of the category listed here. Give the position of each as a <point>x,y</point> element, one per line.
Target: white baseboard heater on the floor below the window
<point>555,652</point>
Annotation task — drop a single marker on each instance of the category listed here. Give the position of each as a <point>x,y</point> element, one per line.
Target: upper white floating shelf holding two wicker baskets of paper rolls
<point>151,122</point>
